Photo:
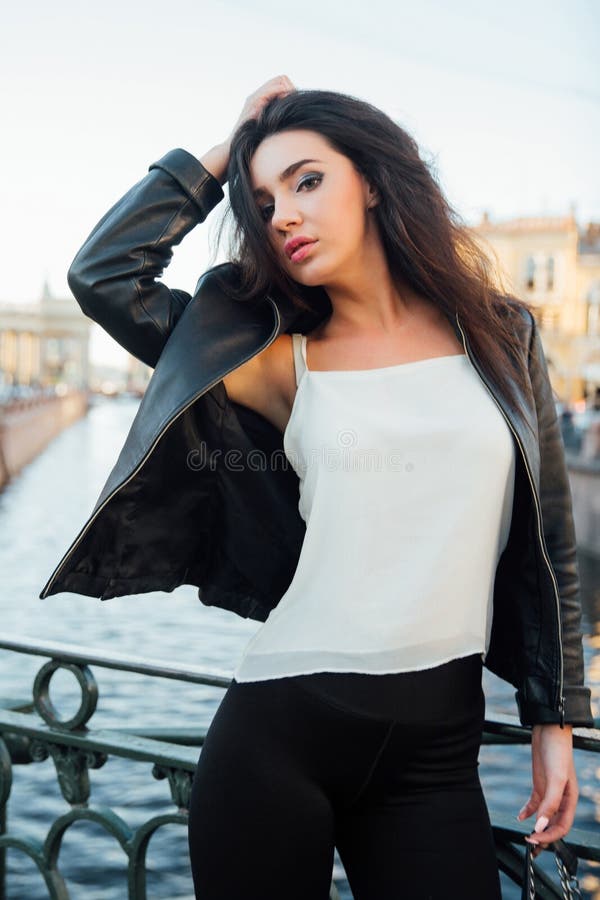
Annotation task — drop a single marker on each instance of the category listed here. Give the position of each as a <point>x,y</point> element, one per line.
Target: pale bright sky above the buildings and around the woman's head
<point>503,100</point>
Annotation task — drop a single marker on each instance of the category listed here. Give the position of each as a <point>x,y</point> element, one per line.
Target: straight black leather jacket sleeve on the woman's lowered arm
<point>560,540</point>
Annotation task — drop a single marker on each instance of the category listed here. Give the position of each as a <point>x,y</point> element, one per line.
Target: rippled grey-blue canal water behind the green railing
<point>41,512</point>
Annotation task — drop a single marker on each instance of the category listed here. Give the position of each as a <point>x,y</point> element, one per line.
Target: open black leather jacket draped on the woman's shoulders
<point>191,501</point>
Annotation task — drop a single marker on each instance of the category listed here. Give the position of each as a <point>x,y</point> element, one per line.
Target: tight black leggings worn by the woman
<point>383,767</point>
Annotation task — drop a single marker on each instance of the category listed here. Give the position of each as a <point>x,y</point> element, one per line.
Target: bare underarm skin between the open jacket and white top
<point>266,382</point>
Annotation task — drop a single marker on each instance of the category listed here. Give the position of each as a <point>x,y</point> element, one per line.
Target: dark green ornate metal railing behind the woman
<point>32,730</point>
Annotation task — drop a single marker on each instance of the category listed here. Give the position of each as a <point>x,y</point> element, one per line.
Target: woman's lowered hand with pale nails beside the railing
<point>555,790</point>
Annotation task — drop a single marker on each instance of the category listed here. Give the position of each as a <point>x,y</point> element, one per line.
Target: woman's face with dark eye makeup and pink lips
<point>324,200</point>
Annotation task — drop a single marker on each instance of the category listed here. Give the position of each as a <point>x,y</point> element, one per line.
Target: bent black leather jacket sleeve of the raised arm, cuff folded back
<point>114,275</point>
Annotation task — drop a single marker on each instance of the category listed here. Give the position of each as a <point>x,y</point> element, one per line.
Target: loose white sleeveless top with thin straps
<point>406,487</point>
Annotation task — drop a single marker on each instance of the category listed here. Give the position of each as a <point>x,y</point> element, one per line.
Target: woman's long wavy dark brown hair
<point>426,242</point>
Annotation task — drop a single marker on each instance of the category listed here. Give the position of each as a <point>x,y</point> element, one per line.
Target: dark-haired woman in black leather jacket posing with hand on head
<point>413,403</point>
